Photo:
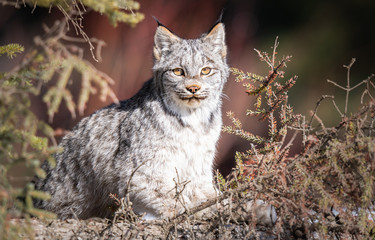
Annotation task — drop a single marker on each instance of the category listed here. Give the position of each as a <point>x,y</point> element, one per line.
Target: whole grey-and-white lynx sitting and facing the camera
<point>157,142</point>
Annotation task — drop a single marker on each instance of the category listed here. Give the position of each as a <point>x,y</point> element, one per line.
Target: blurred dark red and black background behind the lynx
<point>321,36</point>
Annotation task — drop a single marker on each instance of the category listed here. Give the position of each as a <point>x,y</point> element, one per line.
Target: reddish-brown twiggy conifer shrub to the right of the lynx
<point>327,190</point>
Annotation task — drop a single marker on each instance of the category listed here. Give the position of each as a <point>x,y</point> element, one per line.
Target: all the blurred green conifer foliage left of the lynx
<point>27,141</point>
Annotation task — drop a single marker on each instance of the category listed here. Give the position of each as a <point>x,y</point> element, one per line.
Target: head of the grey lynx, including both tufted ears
<point>190,73</point>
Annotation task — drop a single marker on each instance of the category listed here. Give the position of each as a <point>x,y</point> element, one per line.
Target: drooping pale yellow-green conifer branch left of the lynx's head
<point>57,61</point>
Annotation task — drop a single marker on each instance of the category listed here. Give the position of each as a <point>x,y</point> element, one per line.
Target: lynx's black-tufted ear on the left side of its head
<point>163,39</point>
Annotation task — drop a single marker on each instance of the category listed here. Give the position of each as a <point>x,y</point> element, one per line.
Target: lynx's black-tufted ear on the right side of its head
<point>216,38</point>
